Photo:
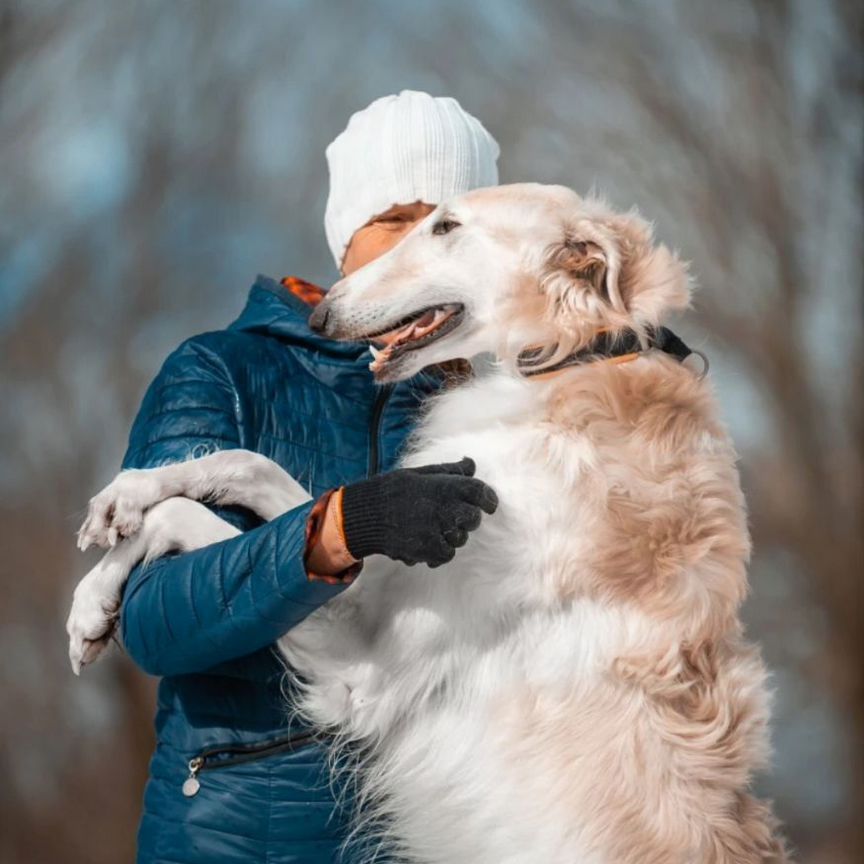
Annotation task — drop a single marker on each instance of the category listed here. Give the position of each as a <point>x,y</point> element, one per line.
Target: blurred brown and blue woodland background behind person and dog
<point>155,156</point>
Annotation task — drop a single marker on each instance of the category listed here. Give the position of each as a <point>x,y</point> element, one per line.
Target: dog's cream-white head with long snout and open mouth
<point>502,268</point>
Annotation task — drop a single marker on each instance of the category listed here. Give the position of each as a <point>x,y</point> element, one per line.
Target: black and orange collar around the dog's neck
<point>618,347</point>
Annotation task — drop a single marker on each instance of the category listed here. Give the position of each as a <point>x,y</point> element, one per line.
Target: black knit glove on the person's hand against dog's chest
<point>415,514</point>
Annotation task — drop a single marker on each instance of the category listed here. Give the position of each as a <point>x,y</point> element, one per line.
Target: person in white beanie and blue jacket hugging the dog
<point>234,777</point>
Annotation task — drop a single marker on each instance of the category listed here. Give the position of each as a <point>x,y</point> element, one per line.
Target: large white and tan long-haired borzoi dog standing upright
<point>574,686</point>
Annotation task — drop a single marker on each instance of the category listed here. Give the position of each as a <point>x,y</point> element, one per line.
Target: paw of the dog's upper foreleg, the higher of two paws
<point>118,510</point>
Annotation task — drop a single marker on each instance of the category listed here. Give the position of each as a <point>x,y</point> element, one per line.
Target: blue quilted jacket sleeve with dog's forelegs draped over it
<point>189,612</point>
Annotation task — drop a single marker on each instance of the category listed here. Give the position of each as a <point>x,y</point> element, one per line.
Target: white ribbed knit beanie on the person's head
<point>401,149</point>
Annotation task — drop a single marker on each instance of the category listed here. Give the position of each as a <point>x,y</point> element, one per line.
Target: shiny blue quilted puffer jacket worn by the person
<point>206,620</point>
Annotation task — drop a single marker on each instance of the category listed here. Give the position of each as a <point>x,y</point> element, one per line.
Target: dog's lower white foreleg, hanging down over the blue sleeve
<point>176,524</point>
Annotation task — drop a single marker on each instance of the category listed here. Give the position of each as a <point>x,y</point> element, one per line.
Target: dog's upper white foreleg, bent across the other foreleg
<point>227,477</point>
